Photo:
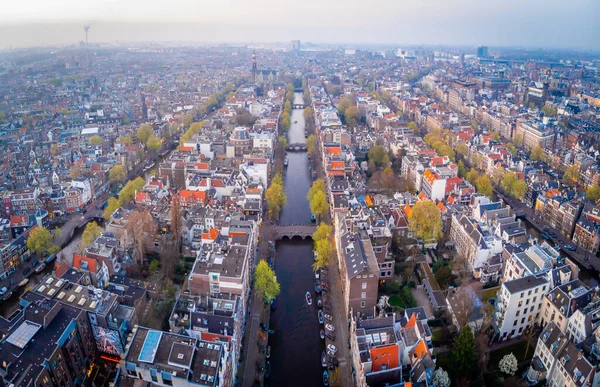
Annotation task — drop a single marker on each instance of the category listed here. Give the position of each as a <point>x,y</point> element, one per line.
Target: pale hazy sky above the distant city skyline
<point>534,23</point>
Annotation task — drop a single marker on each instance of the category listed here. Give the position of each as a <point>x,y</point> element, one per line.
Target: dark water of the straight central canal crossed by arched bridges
<point>296,346</point>
